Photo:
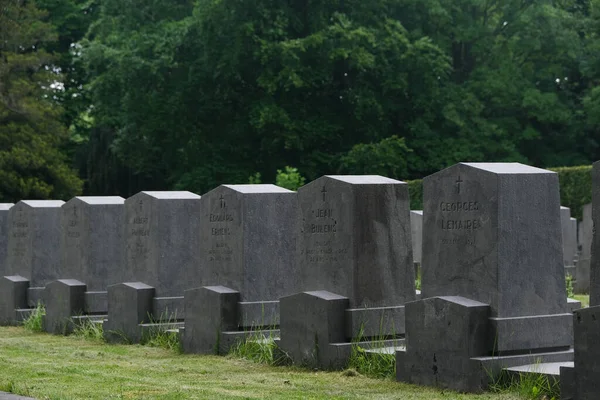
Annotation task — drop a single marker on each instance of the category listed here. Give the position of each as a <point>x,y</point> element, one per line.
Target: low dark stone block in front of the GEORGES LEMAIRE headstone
<point>442,336</point>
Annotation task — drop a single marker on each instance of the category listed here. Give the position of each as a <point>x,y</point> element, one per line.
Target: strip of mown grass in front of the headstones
<point>56,367</point>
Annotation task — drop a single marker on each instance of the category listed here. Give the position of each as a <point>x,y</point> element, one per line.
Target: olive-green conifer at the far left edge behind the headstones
<point>32,164</point>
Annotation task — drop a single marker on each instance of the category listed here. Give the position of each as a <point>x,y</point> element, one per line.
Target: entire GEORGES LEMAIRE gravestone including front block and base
<point>492,245</point>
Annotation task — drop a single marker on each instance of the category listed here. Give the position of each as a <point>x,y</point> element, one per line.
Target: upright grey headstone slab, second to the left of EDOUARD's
<point>92,240</point>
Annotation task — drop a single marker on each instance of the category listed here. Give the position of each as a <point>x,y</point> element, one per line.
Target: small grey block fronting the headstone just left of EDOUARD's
<point>129,304</point>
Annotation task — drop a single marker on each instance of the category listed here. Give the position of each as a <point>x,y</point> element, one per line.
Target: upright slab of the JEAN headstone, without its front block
<point>355,239</point>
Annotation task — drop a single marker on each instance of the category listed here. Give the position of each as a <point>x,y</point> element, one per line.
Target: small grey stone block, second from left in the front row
<point>64,298</point>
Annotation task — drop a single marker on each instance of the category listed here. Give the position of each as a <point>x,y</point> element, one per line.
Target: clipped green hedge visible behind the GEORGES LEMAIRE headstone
<point>575,189</point>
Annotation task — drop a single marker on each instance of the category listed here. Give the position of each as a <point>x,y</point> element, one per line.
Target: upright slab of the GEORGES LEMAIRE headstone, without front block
<point>492,233</point>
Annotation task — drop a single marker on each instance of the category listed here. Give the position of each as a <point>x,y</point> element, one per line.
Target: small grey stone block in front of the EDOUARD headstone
<point>209,311</point>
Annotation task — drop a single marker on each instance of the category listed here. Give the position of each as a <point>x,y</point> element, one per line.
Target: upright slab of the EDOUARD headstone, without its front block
<point>248,239</point>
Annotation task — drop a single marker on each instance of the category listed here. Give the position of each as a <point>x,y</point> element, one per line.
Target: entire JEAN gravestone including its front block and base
<point>355,256</point>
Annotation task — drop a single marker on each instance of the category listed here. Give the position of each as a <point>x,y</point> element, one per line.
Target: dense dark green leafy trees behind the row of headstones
<point>190,94</point>
